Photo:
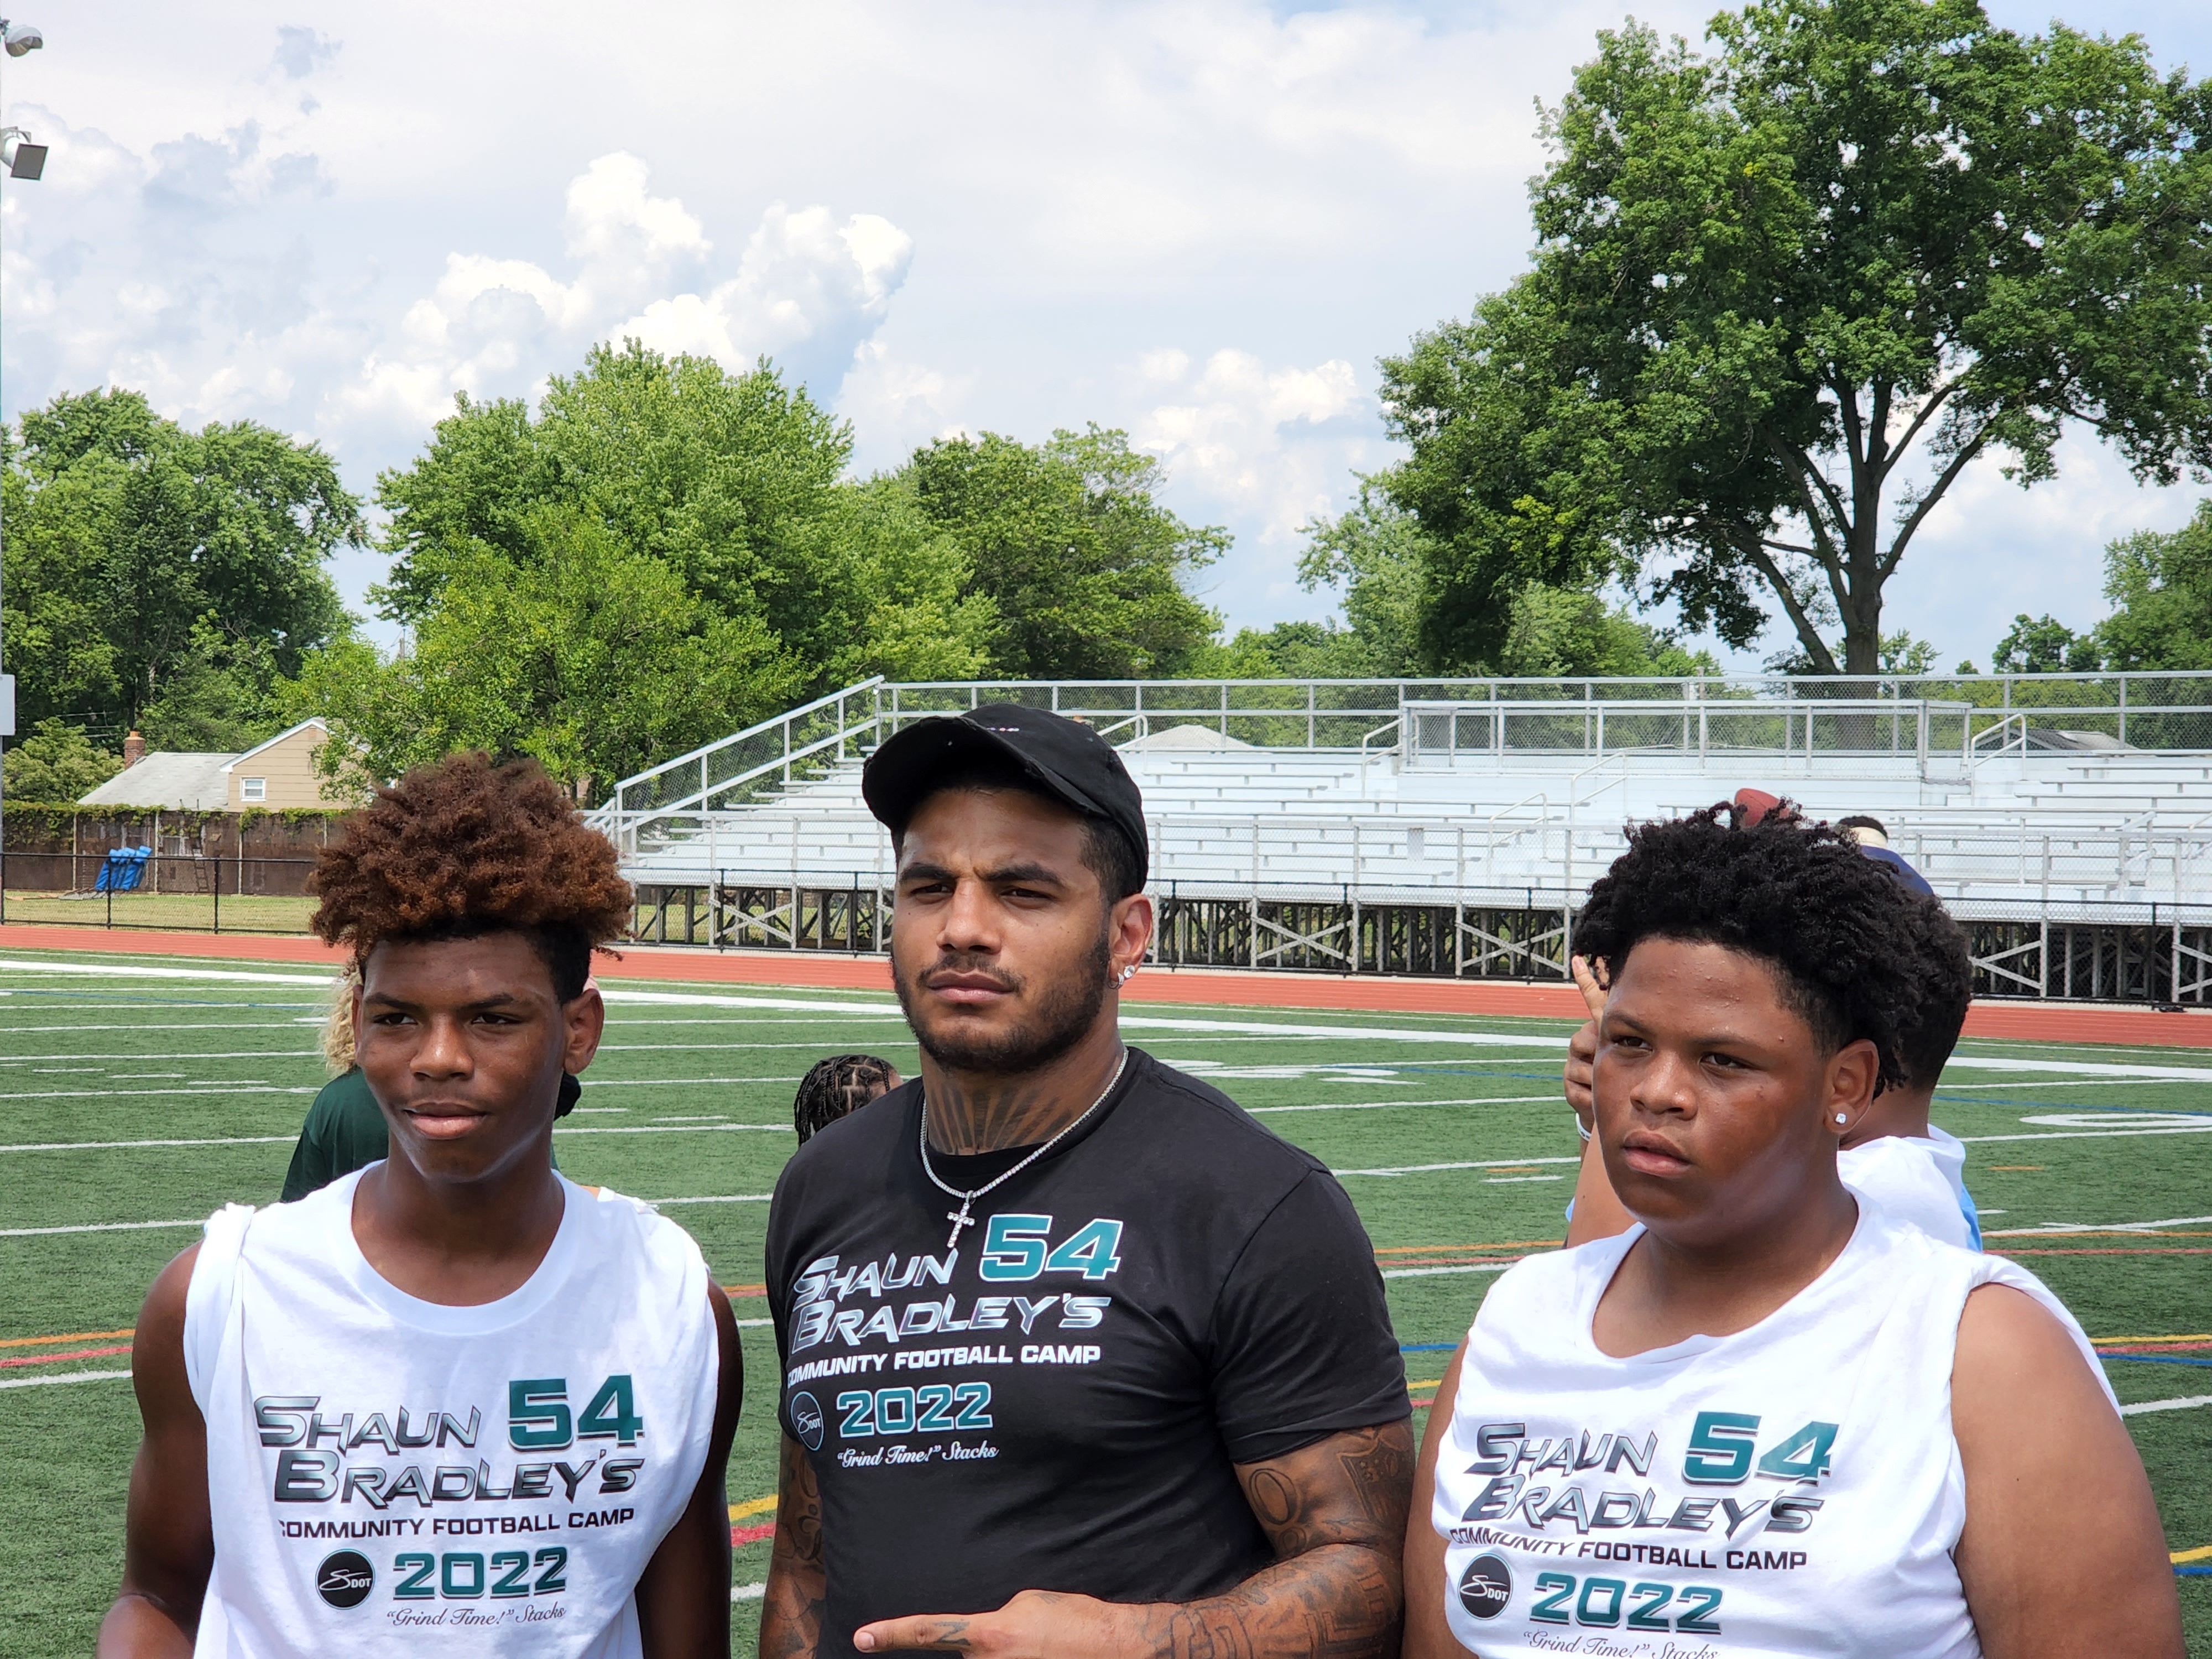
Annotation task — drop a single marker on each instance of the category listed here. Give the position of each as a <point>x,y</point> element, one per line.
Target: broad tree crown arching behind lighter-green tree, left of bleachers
<point>731,481</point>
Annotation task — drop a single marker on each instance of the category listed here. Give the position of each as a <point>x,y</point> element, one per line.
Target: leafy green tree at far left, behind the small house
<point>140,554</point>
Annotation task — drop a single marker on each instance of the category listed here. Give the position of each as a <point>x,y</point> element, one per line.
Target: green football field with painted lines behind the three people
<point>140,1094</point>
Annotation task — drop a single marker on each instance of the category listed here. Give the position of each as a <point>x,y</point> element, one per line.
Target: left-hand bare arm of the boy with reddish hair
<point>169,1534</point>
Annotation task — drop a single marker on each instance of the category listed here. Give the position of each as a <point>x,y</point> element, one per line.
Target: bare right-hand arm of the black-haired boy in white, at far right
<point>2041,1441</point>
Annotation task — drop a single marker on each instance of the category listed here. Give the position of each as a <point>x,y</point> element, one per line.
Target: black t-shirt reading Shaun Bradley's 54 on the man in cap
<point>1061,1401</point>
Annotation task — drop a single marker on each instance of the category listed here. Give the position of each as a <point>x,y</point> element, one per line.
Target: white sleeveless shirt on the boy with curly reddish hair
<point>393,1477</point>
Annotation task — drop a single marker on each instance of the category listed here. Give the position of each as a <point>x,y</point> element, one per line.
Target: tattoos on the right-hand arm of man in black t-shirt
<point>1335,1514</point>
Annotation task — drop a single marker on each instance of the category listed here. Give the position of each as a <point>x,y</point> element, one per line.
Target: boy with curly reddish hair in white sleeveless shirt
<point>450,1399</point>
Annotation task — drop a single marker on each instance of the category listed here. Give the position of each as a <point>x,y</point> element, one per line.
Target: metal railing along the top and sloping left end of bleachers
<point>1943,724</point>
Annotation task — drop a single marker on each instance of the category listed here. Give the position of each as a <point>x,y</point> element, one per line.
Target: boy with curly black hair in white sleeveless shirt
<point>1771,1419</point>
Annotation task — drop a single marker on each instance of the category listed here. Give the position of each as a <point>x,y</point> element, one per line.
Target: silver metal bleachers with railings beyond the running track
<point>1452,826</point>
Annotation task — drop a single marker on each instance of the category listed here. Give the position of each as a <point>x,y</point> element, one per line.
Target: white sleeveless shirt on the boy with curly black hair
<point>1791,1490</point>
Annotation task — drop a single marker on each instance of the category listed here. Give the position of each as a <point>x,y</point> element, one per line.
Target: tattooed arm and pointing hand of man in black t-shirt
<point>1335,1514</point>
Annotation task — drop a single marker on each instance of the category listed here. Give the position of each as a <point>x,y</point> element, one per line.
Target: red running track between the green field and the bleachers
<point>1366,994</point>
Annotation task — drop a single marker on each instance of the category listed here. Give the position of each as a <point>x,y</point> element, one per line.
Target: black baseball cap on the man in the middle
<point>1063,758</point>
